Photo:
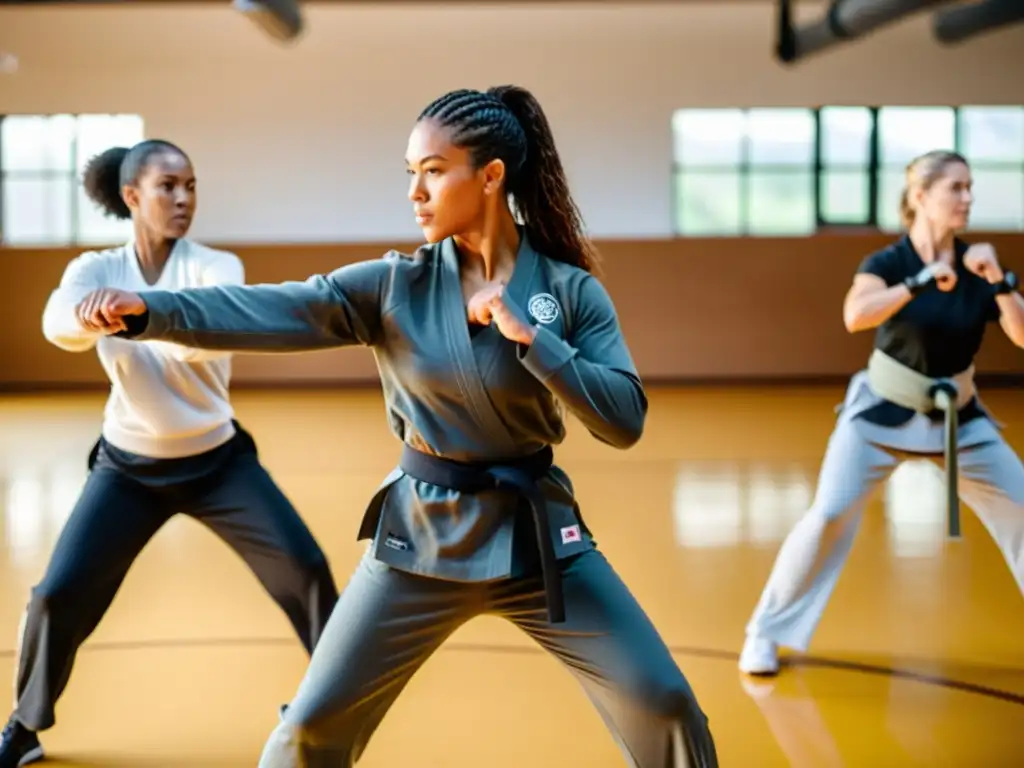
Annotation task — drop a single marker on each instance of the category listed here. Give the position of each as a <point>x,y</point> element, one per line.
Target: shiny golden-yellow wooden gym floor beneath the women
<point>919,661</point>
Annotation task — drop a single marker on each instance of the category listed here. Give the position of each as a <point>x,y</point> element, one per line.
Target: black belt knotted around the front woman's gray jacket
<point>521,476</point>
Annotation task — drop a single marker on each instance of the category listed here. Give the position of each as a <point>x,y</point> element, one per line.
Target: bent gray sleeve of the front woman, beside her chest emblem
<point>593,372</point>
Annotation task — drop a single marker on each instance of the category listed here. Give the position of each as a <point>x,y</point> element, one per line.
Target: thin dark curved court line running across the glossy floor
<point>693,652</point>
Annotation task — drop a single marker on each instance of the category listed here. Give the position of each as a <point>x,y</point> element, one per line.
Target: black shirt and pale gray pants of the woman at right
<point>937,334</point>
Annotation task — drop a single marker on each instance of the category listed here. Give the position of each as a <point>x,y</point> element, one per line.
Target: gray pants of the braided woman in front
<point>388,623</point>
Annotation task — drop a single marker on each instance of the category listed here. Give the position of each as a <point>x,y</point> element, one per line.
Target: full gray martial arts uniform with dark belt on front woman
<point>477,520</point>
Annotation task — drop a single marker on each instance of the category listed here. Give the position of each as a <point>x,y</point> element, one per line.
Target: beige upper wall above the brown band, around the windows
<point>306,144</point>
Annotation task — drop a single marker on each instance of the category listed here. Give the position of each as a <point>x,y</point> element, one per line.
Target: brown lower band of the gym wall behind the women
<point>729,310</point>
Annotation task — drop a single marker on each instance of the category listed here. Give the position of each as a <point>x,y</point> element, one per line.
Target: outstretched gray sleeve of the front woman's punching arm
<point>338,310</point>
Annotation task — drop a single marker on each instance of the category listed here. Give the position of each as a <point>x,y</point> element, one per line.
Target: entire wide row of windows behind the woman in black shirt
<point>789,172</point>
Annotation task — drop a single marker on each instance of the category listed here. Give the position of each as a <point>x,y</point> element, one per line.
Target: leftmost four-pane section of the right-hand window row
<point>745,172</point>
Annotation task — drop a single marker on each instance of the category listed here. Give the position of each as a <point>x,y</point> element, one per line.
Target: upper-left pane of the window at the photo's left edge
<point>37,143</point>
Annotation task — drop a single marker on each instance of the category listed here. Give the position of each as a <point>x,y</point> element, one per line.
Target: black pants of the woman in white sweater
<point>126,500</point>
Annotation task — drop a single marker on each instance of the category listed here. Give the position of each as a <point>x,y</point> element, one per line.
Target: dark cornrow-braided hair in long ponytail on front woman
<point>507,123</point>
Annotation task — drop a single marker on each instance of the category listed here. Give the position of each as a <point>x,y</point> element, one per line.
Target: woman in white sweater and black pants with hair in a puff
<point>169,445</point>
